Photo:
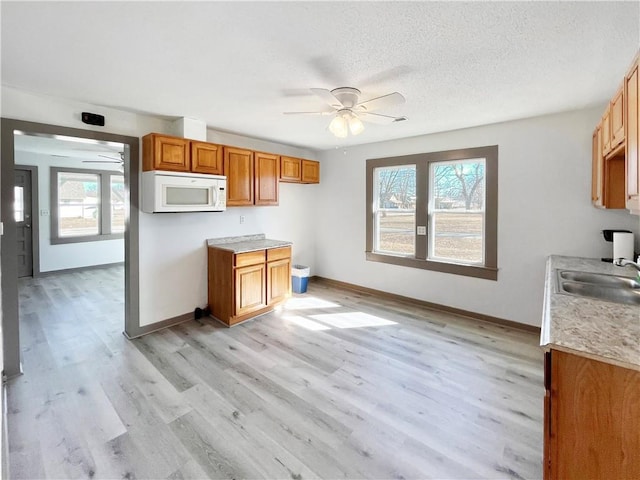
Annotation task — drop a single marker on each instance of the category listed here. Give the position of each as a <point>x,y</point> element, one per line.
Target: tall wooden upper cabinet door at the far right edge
<point>632,134</point>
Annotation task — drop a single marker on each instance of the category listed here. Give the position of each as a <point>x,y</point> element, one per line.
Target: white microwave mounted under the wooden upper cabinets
<point>164,191</point>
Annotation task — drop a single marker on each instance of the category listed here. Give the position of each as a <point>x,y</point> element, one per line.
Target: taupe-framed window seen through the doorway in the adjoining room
<point>86,205</point>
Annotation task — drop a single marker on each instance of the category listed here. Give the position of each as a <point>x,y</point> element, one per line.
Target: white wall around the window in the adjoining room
<point>70,255</point>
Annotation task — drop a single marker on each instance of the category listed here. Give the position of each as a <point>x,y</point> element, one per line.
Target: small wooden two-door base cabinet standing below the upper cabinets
<point>244,285</point>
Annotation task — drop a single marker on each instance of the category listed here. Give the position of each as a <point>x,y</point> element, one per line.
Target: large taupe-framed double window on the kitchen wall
<point>436,211</point>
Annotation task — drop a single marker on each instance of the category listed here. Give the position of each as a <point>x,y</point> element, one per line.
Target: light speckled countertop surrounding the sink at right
<point>605,331</point>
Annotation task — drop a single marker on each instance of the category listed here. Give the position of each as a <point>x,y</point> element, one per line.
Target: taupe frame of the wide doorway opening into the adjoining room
<point>8,260</point>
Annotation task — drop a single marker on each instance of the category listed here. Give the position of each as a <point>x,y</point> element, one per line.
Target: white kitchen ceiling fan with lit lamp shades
<point>350,112</point>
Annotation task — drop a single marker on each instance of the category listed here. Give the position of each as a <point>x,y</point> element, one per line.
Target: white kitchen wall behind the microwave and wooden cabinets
<point>172,246</point>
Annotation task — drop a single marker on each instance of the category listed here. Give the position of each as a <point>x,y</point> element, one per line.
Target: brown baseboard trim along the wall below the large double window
<point>430,305</point>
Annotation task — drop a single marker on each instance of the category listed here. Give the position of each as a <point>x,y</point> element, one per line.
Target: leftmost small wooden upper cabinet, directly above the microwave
<point>162,152</point>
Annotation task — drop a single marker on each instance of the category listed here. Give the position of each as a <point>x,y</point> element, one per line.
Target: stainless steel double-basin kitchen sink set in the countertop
<point>611,288</point>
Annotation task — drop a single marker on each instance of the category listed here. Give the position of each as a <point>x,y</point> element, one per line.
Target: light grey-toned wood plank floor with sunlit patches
<point>335,385</point>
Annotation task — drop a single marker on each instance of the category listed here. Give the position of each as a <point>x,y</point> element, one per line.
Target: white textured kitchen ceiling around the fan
<point>239,65</point>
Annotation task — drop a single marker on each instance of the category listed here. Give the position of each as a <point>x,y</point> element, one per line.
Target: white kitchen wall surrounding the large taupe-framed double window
<point>544,208</point>
